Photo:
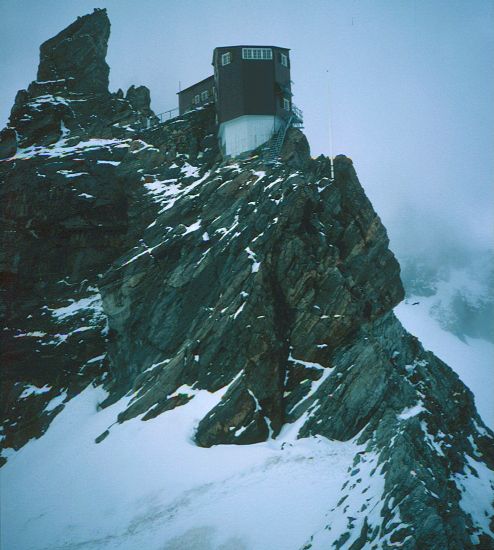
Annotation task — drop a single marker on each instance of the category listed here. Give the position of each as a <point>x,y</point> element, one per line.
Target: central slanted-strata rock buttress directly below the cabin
<point>247,267</point>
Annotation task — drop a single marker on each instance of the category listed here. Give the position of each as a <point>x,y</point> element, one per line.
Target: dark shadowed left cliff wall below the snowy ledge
<point>68,211</point>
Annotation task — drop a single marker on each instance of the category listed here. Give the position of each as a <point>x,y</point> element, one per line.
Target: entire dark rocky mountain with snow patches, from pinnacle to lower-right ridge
<point>140,260</point>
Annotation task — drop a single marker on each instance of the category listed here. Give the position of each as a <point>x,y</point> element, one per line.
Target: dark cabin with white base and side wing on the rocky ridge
<point>251,88</point>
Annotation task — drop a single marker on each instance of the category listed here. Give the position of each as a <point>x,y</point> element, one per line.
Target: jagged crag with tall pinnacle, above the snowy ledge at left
<point>71,96</point>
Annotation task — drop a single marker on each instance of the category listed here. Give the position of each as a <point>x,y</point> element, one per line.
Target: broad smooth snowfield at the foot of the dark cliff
<point>148,486</point>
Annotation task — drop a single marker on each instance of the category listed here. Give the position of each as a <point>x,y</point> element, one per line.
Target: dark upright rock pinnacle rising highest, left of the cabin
<point>77,54</point>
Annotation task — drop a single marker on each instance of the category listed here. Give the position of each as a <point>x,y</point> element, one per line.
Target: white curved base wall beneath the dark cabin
<point>246,132</point>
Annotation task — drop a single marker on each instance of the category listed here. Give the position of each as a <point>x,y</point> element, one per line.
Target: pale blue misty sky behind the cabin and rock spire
<point>410,84</point>
